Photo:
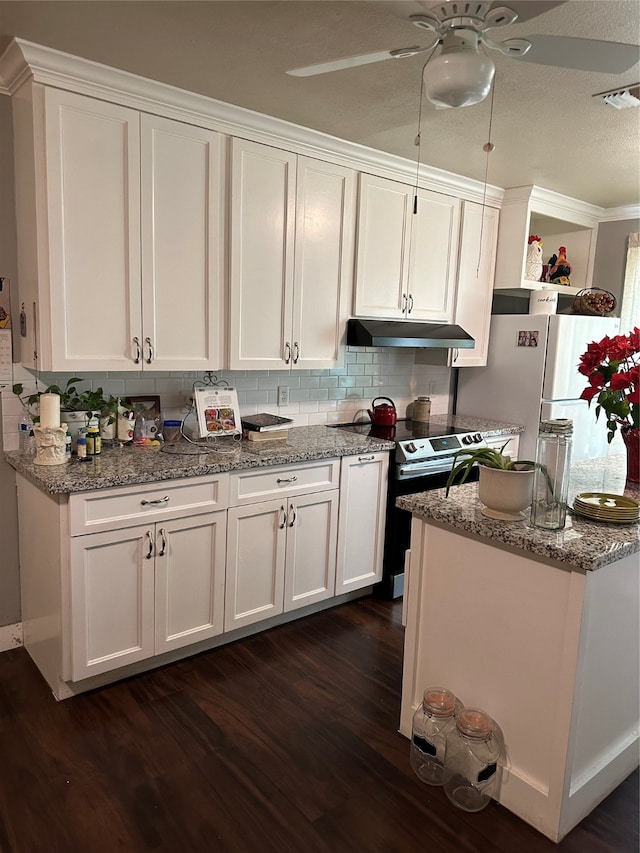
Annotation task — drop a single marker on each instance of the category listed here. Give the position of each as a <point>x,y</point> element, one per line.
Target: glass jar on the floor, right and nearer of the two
<point>471,770</point>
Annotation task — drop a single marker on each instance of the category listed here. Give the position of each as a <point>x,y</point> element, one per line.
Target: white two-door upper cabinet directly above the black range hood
<point>406,260</point>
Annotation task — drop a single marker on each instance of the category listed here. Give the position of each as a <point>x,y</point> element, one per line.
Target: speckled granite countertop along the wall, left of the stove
<point>126,465</point>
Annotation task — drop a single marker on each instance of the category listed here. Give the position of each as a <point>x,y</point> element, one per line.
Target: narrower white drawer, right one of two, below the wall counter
<point>246,487</point>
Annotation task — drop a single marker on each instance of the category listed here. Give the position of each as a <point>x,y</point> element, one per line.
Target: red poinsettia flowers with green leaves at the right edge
<point>613,368</point>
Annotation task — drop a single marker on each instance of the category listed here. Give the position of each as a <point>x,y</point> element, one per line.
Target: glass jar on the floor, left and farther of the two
<point>432,721</point>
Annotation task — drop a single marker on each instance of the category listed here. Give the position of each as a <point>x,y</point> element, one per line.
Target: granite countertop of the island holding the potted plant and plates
<point>582,544</point>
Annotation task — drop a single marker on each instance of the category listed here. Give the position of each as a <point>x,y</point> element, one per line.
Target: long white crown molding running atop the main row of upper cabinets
<point>24,60</point>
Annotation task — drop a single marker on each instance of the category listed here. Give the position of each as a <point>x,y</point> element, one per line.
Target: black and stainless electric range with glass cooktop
<point>421,461</point>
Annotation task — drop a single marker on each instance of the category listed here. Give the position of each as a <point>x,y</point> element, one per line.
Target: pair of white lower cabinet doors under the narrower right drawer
<point>281,555</point>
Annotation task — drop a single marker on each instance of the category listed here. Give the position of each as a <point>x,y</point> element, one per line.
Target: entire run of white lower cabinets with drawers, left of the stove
<point>121,579</point>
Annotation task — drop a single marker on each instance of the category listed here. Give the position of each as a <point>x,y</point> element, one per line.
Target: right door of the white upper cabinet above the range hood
<point>434,256</point>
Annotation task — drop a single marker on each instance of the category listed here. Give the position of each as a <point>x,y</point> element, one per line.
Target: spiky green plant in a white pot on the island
<point>505,485</point>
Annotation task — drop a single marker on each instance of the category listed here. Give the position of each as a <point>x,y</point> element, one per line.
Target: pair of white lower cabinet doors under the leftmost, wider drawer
<point>145,590</point>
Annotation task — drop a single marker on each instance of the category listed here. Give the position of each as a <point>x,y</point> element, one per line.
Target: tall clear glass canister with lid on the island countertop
<point>551,480</point>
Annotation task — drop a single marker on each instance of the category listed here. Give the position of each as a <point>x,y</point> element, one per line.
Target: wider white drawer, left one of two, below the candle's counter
<point>124,506</point>
